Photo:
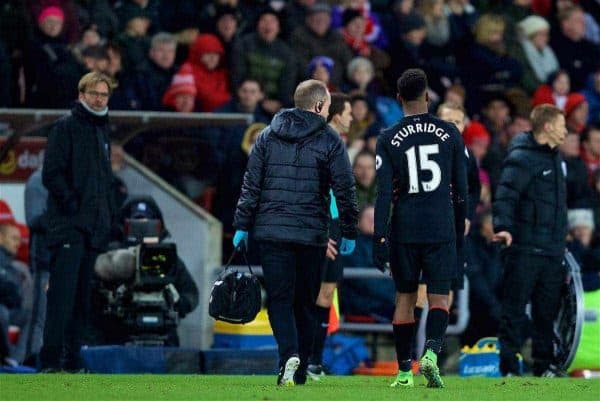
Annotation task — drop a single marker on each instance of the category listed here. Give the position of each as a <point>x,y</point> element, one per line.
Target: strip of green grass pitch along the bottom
<point>65,387</point>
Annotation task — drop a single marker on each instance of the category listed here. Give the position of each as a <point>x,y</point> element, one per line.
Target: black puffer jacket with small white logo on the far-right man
<point>531,198</point>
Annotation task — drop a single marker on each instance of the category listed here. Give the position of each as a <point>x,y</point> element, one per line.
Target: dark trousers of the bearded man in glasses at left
<point>68,304</point>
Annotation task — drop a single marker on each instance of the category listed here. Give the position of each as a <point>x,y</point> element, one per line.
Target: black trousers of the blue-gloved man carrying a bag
<point>292,276</point>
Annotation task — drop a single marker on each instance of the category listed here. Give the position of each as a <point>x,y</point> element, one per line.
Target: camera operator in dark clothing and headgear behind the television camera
<point>109,329</point>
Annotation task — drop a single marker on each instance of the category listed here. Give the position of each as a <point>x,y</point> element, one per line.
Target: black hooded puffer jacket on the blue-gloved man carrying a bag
<point>285,195</point>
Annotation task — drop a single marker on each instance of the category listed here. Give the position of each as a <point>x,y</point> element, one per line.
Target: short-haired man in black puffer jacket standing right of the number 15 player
<point>530,218</point>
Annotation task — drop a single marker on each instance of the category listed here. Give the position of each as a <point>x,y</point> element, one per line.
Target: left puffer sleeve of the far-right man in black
<point>515,177</point>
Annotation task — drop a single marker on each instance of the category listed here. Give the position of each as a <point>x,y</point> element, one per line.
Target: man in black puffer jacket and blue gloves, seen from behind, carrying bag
<point>285,200</point>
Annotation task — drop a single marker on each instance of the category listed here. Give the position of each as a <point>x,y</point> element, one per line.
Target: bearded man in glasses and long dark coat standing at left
<point>78,176</point>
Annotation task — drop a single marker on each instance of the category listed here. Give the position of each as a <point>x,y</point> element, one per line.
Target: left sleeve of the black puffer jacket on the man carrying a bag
<point>252,186</point>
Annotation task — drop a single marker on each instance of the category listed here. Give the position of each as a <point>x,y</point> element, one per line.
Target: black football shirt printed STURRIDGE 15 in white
<point>421,170</point>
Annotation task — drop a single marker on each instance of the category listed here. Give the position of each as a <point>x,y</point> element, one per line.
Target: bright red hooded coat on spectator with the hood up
<point>212,86</point>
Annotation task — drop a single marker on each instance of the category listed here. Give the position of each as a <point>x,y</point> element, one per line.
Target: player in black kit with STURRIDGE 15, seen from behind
<point>421,169</point>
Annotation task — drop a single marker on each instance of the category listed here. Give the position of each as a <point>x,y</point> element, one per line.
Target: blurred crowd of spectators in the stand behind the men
<point>497,58</point>
